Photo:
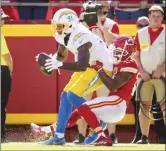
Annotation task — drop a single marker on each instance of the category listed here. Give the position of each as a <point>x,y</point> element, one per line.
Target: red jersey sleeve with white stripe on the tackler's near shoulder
<point>129,67</point>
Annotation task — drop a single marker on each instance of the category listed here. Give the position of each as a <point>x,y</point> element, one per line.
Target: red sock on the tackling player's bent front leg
<point>90,118</point>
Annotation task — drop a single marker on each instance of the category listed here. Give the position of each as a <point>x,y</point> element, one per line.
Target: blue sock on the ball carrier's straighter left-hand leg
<point>65,110</point>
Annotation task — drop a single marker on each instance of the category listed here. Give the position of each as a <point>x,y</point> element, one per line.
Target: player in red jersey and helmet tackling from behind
<point>112,109</point>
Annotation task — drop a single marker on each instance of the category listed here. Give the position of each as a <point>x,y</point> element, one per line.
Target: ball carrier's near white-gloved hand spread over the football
<point>52,64</point>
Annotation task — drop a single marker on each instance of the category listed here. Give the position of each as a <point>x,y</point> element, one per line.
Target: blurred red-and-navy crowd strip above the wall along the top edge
<point>120,10</point>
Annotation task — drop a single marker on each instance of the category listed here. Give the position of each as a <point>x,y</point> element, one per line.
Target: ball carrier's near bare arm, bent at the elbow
<point>82,57</point>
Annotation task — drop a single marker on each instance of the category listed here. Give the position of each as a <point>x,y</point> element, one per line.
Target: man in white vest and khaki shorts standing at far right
<point>151,44</point>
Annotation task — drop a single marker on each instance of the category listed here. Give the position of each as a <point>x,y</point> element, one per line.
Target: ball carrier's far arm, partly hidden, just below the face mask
<point>62,53</point>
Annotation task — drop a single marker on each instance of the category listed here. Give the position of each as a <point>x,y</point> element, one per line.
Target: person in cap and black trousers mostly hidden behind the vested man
<point>159,124</point>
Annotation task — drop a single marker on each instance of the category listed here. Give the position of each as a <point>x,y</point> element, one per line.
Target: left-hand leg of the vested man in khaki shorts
<point>146,91</point>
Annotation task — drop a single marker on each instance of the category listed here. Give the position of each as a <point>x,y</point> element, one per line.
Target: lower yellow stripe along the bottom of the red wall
<point>51,118</point>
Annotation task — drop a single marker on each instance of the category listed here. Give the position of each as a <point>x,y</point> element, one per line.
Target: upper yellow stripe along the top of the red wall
<point>22,30</point>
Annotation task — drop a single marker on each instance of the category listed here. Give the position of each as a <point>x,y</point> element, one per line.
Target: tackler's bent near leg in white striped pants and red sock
<point>101,108</point>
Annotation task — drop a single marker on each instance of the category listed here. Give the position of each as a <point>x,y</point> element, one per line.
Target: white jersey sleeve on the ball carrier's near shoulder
<point>80,39</point>
